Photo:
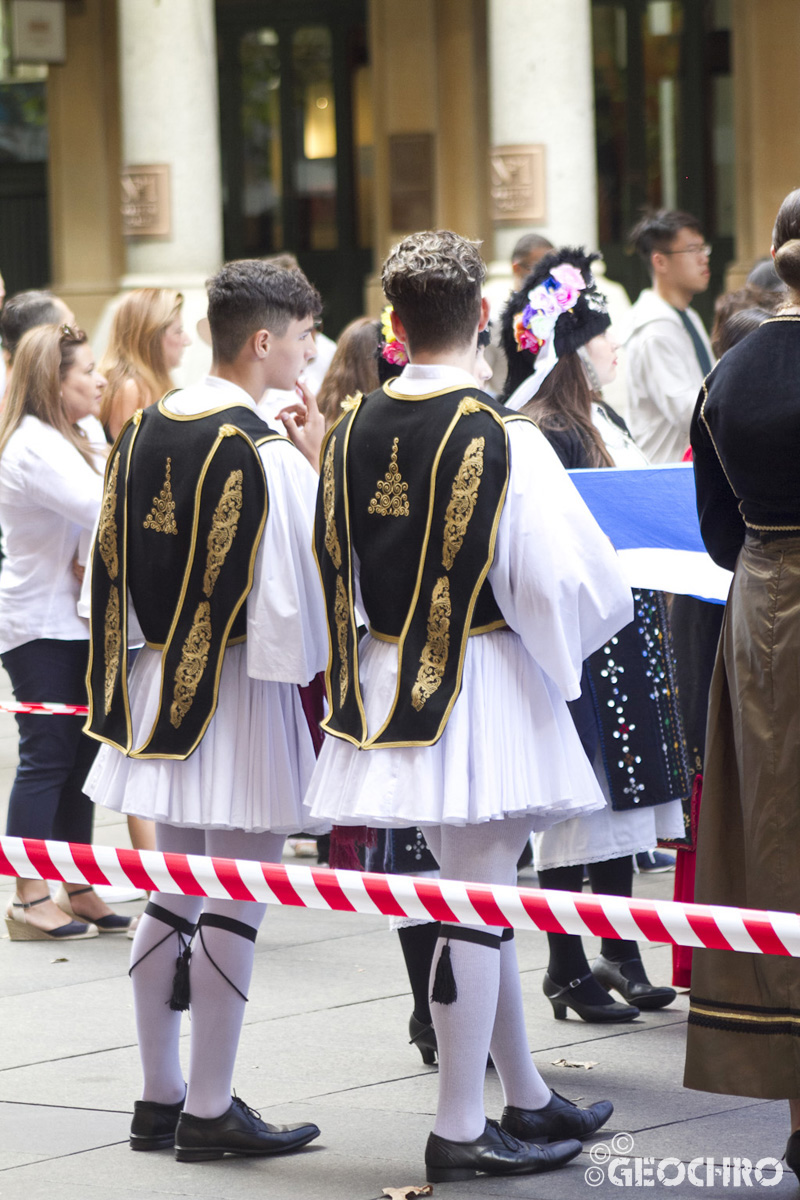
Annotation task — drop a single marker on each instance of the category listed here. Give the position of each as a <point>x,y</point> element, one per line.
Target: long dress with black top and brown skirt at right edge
<point>744,1021</point>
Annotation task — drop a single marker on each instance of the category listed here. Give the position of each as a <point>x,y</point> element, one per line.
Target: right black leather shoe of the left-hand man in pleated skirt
<point>240,1131</point>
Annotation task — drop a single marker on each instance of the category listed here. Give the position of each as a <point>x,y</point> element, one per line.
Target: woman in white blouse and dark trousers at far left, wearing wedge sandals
<point>51,491</point>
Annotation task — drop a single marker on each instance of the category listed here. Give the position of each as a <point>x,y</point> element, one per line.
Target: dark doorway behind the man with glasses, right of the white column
<point>664,99</point>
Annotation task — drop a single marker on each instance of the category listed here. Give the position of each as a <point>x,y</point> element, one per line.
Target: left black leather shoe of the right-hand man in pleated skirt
<point>496,1153</point>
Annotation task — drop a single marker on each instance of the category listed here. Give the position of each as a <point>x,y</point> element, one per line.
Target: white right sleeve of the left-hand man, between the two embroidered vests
<point>287,632</point>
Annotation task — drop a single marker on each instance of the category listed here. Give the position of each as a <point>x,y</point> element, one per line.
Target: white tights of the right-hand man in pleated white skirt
<point>489,1012</point>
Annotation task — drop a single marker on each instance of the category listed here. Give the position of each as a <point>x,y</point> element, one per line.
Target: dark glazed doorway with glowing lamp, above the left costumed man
<point>297,141</point>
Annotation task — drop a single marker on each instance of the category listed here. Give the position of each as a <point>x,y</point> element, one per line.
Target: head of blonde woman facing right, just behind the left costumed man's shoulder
<point>147,343</point>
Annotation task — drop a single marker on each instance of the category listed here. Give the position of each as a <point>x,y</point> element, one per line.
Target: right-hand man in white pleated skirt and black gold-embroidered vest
<point>486,583</point>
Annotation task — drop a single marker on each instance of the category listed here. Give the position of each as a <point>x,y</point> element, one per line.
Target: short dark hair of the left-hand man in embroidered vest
<point>248,296</point>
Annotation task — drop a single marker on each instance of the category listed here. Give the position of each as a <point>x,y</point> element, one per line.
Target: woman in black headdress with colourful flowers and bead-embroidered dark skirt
<point>556,335</point>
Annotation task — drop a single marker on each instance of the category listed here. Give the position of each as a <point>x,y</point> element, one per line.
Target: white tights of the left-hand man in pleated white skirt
<point>216,1009</point>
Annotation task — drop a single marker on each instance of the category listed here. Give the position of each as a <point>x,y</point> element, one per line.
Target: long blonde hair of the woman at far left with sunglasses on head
<point>43,361</point>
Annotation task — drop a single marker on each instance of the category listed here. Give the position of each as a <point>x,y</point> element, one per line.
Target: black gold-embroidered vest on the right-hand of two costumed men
<point>414,488</point>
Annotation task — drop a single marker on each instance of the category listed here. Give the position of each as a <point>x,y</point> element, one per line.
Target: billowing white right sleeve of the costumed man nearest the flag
<point>556,575</point>
